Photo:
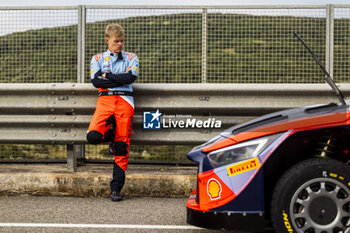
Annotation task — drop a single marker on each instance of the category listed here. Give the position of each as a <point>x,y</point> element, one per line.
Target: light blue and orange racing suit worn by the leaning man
<point>114,112</point>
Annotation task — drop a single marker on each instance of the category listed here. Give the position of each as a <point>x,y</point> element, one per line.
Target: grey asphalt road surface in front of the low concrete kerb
<point>134,214</point>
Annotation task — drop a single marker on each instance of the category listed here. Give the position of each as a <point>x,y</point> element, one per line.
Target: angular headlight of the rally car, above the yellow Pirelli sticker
<point>241,151</point>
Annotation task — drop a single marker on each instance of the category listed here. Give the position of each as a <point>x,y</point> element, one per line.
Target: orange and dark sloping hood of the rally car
<point>292,119</point>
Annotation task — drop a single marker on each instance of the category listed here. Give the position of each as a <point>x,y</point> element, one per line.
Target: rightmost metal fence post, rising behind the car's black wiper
<point>329,39</point>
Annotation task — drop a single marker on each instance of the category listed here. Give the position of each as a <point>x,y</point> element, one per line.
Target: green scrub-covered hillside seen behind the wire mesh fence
<point>240,48</point>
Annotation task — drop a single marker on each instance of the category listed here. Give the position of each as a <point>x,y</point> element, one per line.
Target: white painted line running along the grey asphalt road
<point>115,226</point>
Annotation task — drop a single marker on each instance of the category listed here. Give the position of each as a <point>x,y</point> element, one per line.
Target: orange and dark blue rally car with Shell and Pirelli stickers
<point>290,167</point>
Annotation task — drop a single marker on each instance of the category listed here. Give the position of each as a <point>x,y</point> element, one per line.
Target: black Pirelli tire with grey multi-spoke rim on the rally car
<point>313,196</point>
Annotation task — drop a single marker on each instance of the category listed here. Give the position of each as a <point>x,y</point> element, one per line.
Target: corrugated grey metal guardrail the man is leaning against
<point>60,113</point>
